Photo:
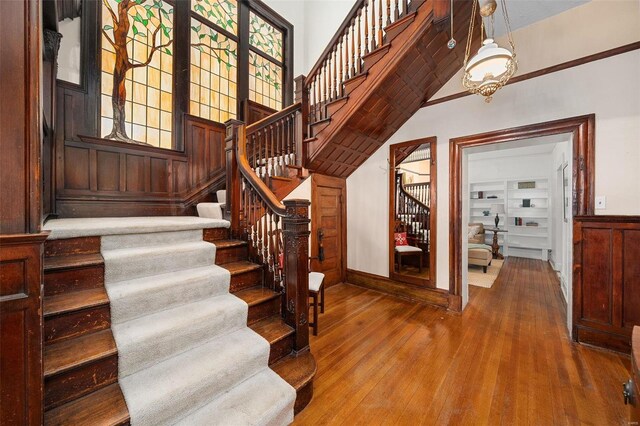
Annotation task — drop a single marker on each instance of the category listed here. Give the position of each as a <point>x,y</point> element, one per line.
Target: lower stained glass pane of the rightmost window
<point>265,79</point>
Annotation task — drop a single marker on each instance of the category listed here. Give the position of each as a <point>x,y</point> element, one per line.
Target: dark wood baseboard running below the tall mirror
<point>431,296</point>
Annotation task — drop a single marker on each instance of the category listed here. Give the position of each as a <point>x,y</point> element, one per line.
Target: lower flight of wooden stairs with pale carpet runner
<point>179,320</point>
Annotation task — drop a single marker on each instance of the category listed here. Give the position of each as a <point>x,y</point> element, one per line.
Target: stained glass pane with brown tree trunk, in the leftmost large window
<point>137,71</point>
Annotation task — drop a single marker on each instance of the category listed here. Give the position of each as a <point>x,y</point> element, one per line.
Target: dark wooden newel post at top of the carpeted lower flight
<point>235,130</point>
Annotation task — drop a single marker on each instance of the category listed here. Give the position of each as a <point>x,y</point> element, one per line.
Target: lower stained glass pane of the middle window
<point>214,70</point>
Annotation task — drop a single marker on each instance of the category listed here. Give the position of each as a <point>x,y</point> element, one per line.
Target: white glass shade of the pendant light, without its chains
<point>489,69</point>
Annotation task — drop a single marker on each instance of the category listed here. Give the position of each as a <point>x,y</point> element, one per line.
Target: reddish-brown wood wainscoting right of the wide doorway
<point>606,280</point>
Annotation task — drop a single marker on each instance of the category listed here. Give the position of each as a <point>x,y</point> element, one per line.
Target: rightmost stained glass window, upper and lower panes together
<point>265,63</point>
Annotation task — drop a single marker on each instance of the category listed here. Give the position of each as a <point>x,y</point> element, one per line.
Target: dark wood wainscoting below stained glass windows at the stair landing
<point>99,177</point>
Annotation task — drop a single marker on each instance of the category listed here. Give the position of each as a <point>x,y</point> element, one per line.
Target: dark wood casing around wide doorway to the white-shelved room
<point>583,166</point>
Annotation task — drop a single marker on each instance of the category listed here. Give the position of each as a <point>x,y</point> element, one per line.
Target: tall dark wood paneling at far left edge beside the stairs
<point>21,239</point>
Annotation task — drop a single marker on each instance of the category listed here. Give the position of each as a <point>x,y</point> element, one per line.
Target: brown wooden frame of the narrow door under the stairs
<point>332,182</point>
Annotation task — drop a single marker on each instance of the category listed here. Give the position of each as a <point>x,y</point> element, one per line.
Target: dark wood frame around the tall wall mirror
<point>431,282</point>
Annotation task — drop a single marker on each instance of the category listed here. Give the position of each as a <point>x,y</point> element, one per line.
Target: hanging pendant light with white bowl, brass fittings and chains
<point>492,67</point>
